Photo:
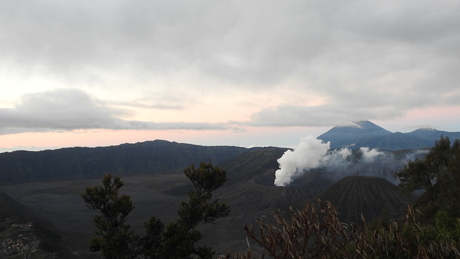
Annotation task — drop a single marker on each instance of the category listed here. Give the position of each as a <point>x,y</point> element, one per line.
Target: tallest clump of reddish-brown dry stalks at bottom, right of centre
<point>314,232</point>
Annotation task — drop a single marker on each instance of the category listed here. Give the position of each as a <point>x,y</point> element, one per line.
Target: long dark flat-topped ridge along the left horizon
<point>151,157</point>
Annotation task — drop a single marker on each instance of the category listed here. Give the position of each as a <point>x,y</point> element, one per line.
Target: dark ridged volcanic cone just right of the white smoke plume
<point>370,196</point>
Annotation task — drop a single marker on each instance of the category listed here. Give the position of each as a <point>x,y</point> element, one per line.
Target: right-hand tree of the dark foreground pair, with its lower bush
<point>178,239</point>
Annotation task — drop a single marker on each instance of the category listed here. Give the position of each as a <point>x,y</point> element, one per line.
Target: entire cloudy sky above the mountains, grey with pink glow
<point>245,73</point>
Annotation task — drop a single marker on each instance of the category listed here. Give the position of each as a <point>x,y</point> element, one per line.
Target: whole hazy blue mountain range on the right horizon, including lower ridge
<point>367,134</point>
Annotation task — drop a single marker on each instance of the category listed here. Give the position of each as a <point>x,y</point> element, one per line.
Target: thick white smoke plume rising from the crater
<point>312,153</point>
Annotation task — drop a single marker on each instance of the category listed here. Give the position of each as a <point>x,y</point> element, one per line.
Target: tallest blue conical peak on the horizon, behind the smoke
<point>346,135</point>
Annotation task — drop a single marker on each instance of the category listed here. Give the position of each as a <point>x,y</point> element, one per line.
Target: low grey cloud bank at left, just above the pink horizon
<point>70,109</point>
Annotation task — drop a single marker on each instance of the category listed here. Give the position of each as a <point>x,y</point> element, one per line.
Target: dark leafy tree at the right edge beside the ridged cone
<point>438,176</point>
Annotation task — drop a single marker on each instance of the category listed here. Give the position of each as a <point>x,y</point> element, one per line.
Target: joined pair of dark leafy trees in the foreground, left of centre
<point>177,240</point>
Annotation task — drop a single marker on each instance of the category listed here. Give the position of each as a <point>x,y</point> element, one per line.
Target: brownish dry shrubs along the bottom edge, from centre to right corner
<point>316,232</point>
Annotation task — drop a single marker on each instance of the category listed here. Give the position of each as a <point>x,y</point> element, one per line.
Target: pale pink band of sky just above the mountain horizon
<point>439,118</point>
